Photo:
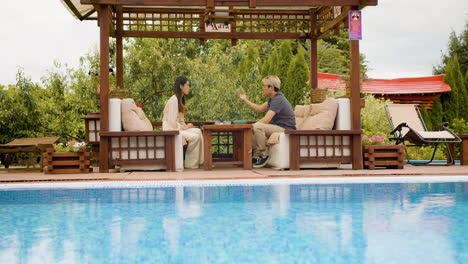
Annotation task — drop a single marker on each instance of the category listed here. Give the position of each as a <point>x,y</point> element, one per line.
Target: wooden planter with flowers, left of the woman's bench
<point>72,157</point>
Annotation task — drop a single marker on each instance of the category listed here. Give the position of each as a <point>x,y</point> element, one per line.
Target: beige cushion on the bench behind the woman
<point>133,118</point>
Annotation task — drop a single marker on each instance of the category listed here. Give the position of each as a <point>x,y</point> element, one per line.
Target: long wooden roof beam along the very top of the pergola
<point>259,3</point>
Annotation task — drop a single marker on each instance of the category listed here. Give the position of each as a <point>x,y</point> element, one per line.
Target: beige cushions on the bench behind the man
<point>320,116</point>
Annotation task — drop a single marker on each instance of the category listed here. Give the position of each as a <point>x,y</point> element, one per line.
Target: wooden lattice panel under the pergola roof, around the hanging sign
<point>250,23</point>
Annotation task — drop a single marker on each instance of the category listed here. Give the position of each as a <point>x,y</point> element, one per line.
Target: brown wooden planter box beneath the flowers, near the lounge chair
<point>388,156</point>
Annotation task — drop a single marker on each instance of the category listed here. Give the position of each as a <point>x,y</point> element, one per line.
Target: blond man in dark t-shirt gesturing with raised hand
<point>279,116</point>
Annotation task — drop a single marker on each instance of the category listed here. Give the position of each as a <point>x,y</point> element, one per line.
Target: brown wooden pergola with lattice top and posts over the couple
<point>248,19</point>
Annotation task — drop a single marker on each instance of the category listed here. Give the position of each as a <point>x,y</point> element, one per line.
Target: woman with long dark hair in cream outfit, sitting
<point>173,119</point>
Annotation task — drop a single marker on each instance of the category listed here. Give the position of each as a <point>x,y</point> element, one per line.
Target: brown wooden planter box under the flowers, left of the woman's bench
<point>67,162</point>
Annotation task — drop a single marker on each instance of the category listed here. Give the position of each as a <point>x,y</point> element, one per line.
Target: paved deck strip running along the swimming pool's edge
<point>24,175</point>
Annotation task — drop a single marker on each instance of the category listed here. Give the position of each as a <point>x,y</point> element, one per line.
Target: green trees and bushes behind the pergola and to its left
<point>216,70</point>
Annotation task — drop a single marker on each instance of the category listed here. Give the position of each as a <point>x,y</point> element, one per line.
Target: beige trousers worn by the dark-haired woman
<point>194,154</point>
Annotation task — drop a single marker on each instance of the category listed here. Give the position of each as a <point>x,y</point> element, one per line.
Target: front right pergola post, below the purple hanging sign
<point>355,102</point>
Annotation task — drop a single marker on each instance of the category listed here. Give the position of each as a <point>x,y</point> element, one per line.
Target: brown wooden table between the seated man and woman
<point>241,145</point>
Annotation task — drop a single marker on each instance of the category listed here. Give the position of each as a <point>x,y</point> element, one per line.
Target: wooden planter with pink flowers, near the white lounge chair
<point>378,152</point>
